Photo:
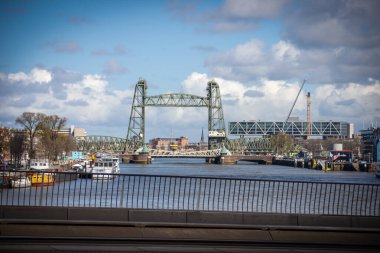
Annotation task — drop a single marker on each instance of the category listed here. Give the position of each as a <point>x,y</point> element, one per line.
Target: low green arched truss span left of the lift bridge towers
<point>93,143</point>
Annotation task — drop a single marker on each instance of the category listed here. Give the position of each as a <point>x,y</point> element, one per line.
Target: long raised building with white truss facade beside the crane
<point>293,127</point>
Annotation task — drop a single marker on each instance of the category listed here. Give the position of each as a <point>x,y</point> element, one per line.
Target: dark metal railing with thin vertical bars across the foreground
<point>196,193</point>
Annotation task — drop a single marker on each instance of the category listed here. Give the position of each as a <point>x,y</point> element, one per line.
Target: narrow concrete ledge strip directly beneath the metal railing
<point>163,216</point>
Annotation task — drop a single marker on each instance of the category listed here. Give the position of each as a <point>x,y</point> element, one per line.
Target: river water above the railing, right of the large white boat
<point>245,170</point>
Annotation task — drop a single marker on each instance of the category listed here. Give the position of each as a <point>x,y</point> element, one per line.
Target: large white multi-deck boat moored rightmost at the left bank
<point>105,168</point>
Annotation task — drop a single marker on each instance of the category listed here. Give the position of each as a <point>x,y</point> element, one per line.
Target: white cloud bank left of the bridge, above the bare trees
<point>88,102</point>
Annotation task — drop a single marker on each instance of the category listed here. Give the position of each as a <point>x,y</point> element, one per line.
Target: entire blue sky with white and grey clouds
<point>82,59</point>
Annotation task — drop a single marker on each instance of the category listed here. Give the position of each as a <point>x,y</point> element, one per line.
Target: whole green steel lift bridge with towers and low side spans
<point>136,129</point>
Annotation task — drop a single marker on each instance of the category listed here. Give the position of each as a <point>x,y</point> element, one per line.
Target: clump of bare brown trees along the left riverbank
<point>39,138</point>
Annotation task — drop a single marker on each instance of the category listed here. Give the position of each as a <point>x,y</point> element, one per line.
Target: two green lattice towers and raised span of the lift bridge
<point>136,128</point>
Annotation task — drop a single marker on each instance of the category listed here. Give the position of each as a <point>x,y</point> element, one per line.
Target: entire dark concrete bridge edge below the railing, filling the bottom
<point>21,225</point>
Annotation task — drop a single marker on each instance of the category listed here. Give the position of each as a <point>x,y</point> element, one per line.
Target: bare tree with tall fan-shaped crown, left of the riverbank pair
<point>32,123</point>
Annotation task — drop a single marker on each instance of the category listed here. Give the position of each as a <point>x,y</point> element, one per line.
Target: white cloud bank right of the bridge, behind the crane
<point>352,102</point>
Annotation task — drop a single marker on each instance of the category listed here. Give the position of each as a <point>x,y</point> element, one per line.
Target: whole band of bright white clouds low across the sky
<point>92,104</point>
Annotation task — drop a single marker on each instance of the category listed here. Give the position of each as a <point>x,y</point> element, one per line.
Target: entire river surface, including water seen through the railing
<point>192,184</point>
